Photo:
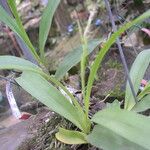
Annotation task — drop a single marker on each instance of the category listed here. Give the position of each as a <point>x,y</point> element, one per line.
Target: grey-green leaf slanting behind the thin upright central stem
<point>73,58</point>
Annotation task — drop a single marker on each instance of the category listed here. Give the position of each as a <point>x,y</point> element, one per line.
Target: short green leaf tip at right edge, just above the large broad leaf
<point>143,104</point>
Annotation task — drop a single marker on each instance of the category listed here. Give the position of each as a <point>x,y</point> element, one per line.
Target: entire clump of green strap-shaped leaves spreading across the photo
<point>115,128</point>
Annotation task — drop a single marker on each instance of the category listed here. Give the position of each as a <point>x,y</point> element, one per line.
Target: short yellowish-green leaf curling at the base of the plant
<point>71,137</point>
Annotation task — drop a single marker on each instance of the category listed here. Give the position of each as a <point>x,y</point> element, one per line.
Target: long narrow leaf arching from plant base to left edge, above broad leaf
<point>12,62</point>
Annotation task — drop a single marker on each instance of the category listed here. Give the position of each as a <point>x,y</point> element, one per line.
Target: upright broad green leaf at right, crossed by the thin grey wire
<point>137,72</point>
